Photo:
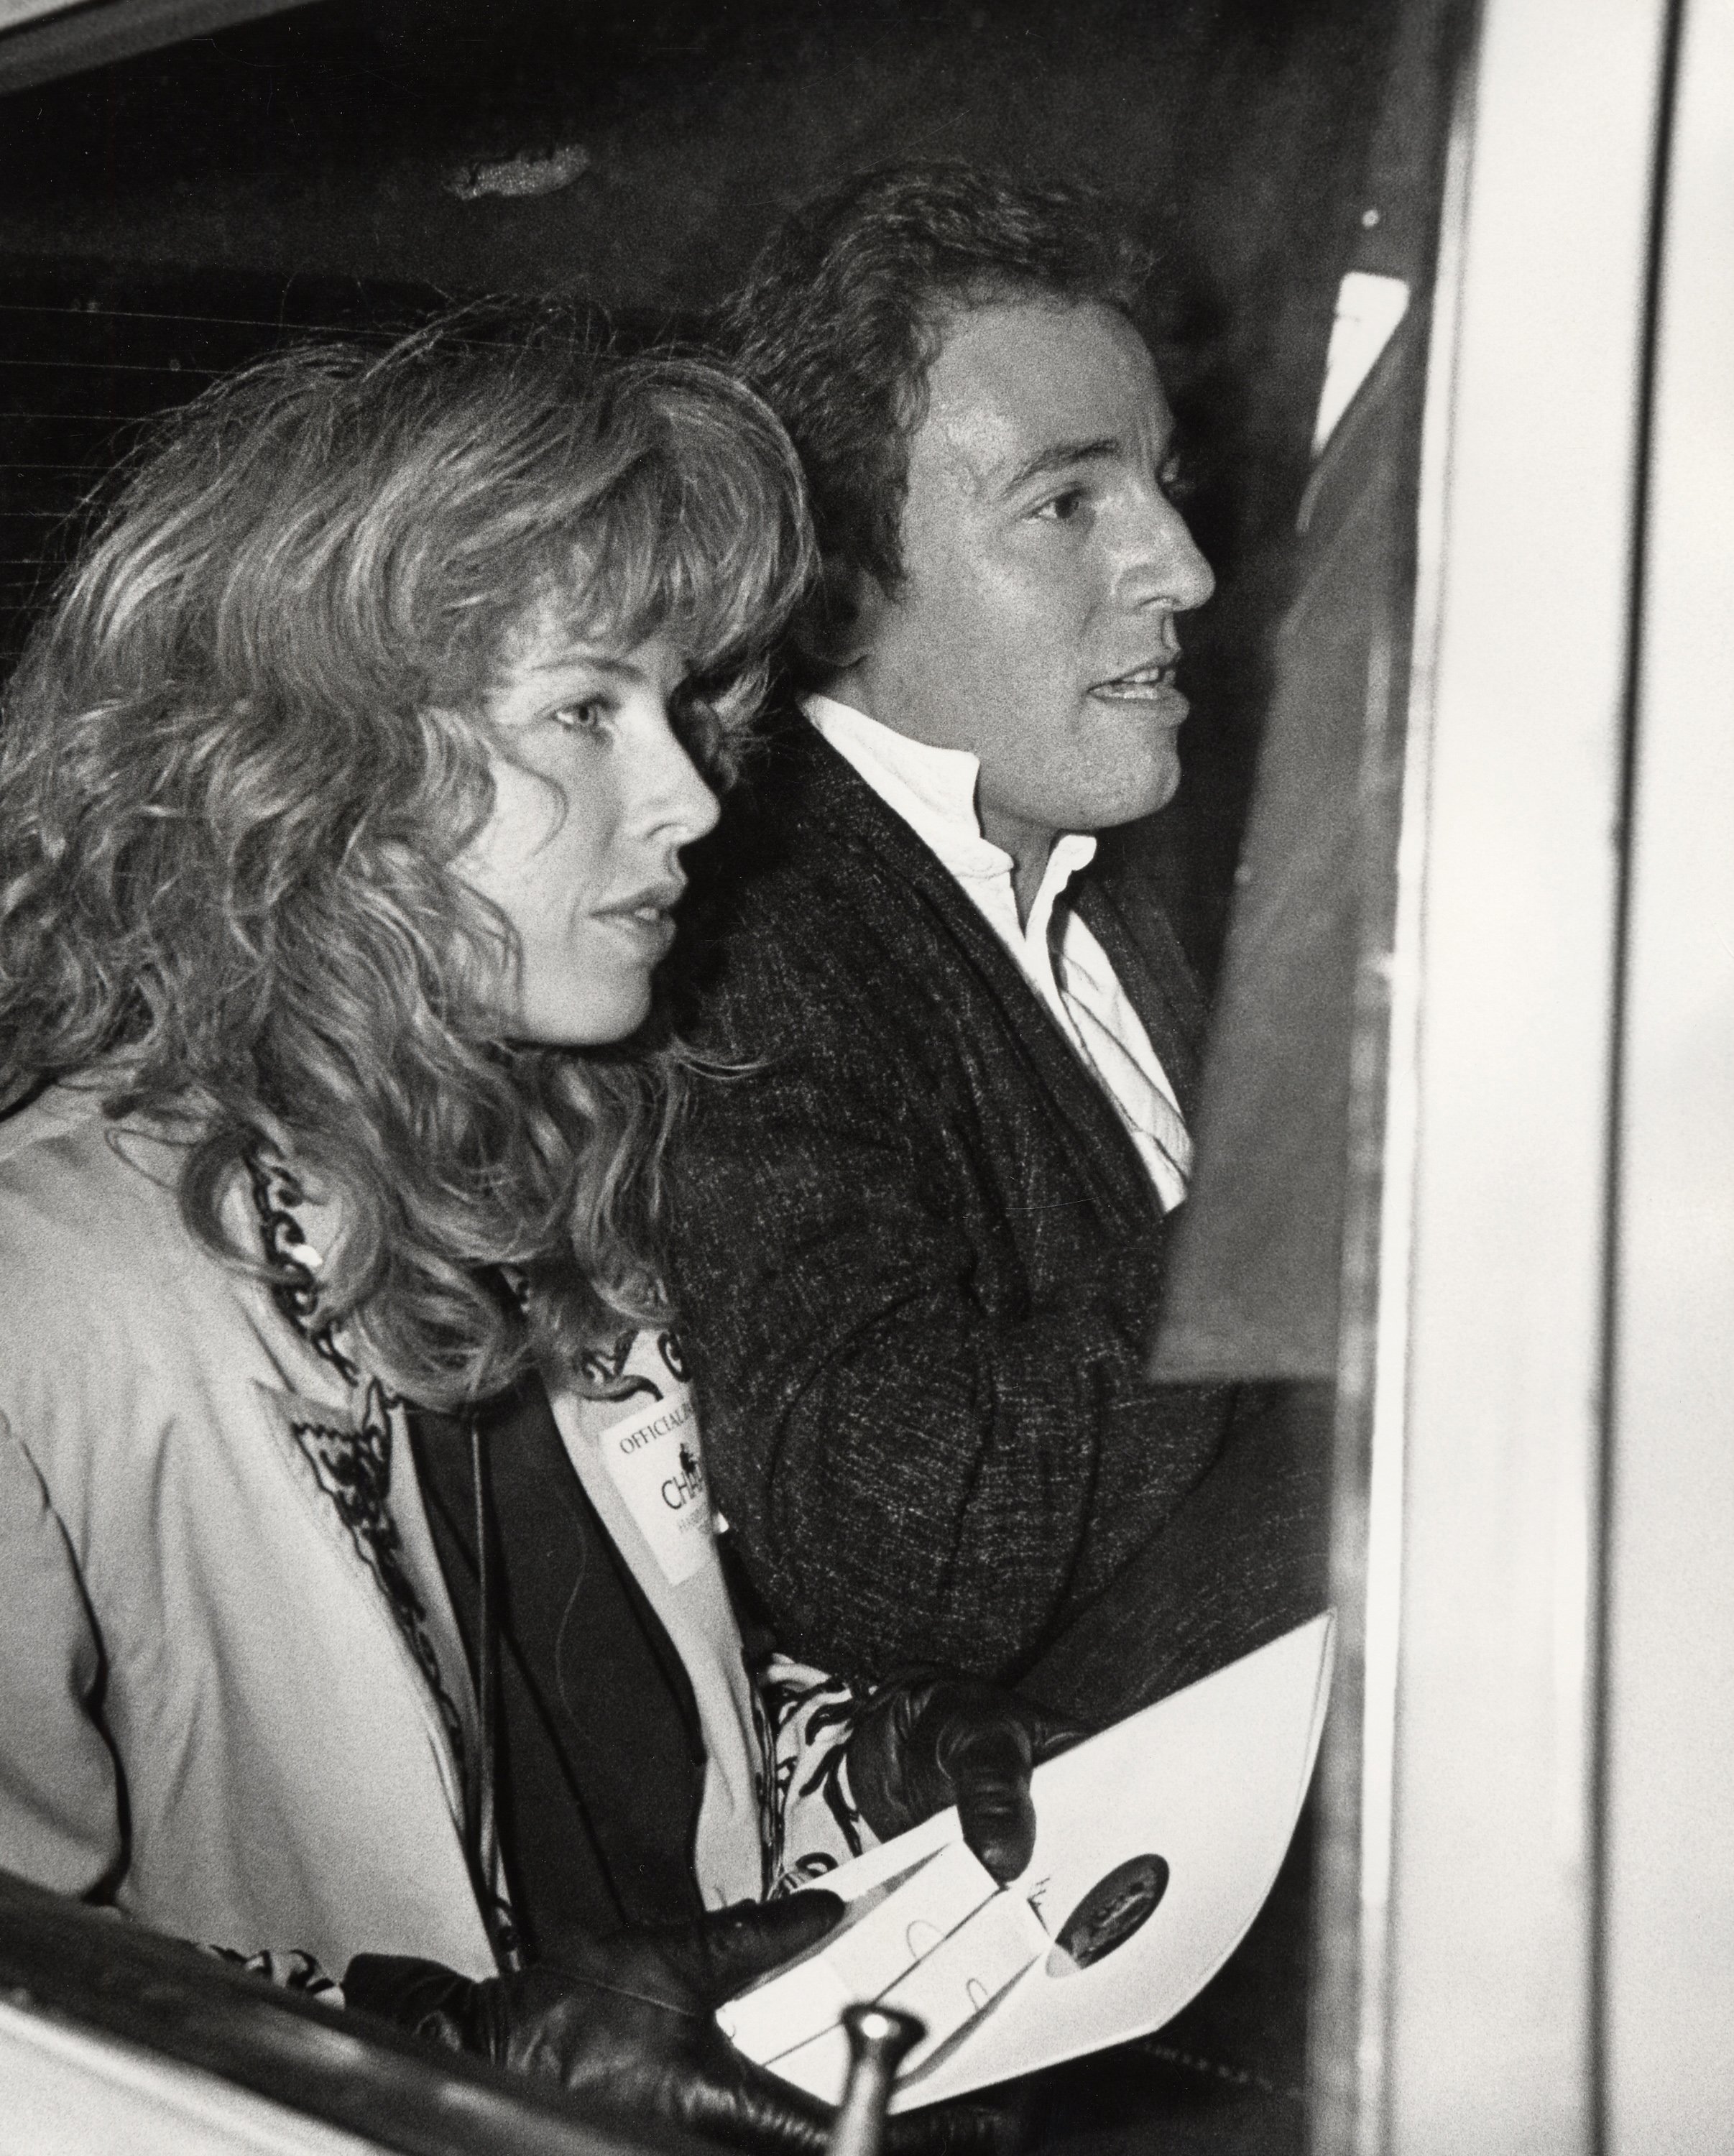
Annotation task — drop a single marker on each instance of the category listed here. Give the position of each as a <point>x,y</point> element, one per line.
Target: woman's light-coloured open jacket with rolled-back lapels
<point>234,1698</point>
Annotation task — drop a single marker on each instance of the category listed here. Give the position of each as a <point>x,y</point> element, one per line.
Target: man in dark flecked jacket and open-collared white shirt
<point>920,1230</point>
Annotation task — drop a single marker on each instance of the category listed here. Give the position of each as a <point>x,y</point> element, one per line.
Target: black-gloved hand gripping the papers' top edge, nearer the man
<point>928,1741</point>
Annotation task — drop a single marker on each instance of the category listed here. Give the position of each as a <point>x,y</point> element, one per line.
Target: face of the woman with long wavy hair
<point>594,799</point>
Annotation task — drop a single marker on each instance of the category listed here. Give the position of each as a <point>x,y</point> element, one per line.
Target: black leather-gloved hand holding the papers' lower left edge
<point>629,2023</point>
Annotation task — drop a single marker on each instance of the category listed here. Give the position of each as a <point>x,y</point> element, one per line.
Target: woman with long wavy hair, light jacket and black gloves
<point>344,805</point>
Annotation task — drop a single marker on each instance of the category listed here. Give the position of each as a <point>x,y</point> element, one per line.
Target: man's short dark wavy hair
<point>847,307</point>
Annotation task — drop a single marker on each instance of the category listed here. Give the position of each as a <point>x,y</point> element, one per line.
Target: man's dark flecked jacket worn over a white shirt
<point>913,1245</point>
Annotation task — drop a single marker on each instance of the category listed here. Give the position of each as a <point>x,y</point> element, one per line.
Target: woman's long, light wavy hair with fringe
<point>245,749</point>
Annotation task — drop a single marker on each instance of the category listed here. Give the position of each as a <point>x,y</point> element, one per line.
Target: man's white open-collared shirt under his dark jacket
<point>933,790</point>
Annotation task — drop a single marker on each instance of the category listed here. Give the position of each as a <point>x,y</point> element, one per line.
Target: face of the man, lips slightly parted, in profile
<point>1045,568</point>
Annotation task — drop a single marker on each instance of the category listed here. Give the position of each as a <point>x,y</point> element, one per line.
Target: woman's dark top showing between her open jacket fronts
<point>598,1754</point>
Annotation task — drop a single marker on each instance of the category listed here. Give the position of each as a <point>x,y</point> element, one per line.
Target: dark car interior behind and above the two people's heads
<point>169,215</point>
